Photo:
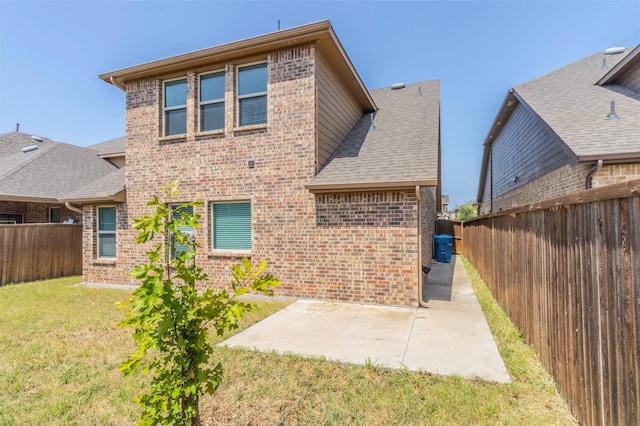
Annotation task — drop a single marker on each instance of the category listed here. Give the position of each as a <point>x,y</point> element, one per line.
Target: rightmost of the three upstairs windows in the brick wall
<point>252,94</point>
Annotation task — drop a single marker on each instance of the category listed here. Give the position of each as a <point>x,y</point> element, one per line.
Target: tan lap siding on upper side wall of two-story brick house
<point>338,111</point>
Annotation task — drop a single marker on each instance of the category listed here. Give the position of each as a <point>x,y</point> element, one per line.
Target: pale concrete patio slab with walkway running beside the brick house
<point>450,337</point>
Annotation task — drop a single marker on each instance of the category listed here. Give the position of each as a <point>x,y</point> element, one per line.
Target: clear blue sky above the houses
<point>51,53</point>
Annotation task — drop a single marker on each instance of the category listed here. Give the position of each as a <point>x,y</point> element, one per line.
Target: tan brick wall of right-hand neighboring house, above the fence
<point>562,181</point>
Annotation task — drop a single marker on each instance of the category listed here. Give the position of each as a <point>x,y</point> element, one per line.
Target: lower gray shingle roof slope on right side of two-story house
<point>401,151</point>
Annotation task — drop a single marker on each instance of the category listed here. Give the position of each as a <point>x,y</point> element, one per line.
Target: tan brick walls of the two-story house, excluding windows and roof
<point>360,247</point>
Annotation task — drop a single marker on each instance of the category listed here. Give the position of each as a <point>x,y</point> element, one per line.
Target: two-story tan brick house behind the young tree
<point>297,162</point>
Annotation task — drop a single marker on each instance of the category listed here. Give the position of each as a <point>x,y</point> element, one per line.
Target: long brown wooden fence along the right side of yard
<point>567,273</point>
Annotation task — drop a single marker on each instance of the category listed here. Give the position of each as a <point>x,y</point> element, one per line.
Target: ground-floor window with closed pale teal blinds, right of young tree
<point>232,226</point>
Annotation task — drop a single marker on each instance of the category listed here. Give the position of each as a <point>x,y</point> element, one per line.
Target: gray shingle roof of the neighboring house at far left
<point>48,172</point>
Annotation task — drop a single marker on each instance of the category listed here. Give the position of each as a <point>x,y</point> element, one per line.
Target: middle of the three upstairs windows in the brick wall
<point>212,101</point>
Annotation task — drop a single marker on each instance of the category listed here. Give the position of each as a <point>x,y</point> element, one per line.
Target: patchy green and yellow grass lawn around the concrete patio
<point>60,348</point>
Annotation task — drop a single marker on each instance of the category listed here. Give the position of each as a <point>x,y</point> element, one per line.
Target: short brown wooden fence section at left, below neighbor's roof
<point>39,251</point>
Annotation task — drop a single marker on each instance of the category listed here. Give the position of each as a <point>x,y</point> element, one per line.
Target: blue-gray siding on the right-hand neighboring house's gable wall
<point>524,148</point>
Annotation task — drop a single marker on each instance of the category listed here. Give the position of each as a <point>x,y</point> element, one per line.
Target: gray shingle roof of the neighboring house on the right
<point>576,108</point>
